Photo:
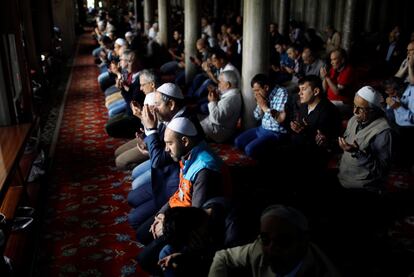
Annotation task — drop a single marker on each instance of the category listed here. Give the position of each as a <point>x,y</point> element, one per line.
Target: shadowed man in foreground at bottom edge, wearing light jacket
<point>282,249</point>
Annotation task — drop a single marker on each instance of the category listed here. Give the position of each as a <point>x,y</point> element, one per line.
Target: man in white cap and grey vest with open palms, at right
<point>367,143</point>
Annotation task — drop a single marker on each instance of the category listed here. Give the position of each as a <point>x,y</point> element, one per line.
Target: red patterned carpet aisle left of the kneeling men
<point>86,232</point>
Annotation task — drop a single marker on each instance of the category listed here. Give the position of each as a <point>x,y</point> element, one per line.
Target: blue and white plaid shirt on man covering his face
<point>276,101</point>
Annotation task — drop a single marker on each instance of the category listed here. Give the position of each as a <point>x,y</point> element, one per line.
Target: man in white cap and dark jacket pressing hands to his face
<point>157,179</point>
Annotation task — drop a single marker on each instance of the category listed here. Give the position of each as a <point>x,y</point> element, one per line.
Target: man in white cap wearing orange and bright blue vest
<point>200,179</point>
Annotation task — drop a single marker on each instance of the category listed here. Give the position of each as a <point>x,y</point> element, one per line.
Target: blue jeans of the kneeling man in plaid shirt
<point>255,141</point>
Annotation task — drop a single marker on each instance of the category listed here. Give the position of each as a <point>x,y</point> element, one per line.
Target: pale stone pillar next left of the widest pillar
<point>192,30</point>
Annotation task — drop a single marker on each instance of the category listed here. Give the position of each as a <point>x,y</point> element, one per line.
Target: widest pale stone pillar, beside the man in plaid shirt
<point>255,52</point>
